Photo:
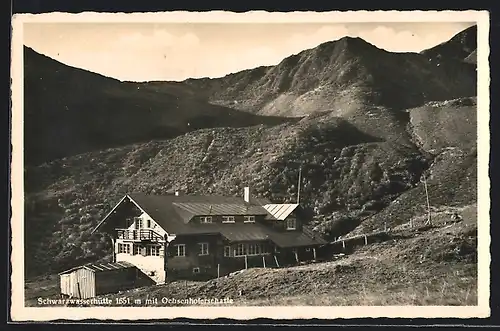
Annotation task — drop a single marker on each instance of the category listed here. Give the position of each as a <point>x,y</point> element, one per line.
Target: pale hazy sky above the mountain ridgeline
<point>177,51</point>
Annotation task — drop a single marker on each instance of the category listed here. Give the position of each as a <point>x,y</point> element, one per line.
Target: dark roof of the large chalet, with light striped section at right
<point>174,212</point>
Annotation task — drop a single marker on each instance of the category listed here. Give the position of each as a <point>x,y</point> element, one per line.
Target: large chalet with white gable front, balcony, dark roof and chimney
<point>198,237</point>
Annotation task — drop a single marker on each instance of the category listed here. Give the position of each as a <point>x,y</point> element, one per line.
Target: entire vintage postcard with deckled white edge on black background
<point>210,165</point>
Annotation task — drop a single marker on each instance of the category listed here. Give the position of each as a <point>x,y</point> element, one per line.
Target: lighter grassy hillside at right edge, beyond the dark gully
<point>447,130</point>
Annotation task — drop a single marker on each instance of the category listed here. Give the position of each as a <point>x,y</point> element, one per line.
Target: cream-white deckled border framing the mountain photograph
<point>21,313</point>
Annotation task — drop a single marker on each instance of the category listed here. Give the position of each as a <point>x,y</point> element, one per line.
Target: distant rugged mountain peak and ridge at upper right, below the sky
<point>341,76</point>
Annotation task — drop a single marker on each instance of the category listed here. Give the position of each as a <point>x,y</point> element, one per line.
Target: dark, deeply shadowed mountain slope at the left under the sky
<point>69,111</point>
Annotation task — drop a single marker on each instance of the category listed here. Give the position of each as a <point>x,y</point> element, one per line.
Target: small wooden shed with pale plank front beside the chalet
<point>90,280</point>
